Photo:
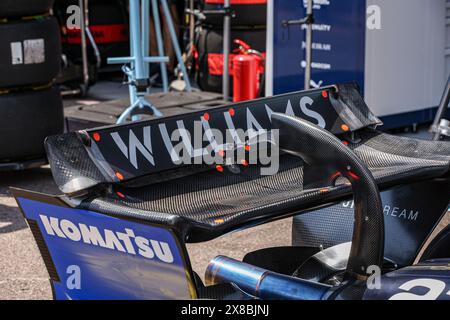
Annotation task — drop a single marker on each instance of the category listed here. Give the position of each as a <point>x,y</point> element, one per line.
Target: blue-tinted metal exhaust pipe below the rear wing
<point>262,283</point>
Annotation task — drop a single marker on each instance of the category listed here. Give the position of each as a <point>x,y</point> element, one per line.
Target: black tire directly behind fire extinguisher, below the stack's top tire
<point>210,41</point>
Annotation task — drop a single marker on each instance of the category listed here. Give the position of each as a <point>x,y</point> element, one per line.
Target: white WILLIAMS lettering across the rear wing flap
<point>183,147</point>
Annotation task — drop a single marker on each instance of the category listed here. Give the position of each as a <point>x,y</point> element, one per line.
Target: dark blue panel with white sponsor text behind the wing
<point>338,44</point>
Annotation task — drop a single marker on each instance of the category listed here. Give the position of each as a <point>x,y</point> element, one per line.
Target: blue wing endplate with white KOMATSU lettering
<point>101,257</point>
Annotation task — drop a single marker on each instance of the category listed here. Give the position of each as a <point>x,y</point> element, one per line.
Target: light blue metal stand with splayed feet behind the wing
<point>139,72</point>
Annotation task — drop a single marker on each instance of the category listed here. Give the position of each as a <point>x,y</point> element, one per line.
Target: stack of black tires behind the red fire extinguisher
<point>249,25</point>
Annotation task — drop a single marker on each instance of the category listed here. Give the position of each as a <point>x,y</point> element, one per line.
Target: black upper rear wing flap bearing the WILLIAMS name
<point>119,154</point>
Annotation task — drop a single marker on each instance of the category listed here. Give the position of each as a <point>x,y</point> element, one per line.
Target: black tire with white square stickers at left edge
<point>30,52</point>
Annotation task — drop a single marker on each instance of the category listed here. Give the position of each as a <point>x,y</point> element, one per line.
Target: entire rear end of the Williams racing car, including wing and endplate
<point>132,200</point>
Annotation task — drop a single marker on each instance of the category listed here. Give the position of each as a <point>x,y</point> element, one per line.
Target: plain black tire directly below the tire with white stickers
<point>26,119</point>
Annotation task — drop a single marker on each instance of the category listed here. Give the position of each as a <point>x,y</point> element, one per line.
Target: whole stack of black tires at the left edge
<point>30,59</point>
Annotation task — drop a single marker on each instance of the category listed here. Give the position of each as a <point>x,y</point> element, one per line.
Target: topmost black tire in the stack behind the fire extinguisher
<point>246,14</point>
